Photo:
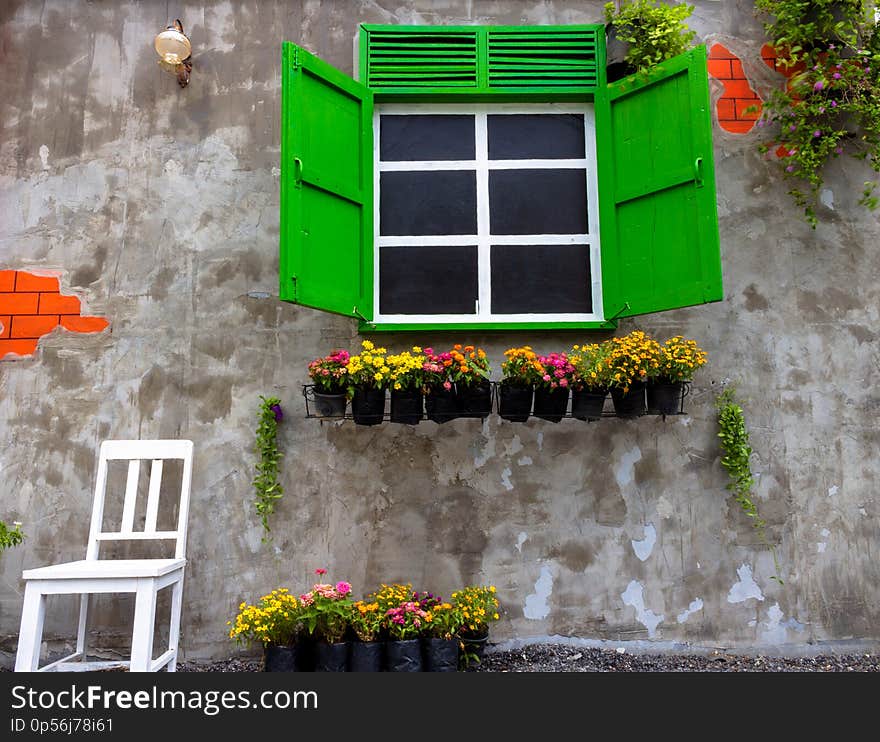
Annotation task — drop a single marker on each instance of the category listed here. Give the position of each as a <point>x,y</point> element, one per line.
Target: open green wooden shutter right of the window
<point>659,224</point>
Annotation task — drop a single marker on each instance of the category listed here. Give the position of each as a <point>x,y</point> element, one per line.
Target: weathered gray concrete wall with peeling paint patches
<point>159,208</point>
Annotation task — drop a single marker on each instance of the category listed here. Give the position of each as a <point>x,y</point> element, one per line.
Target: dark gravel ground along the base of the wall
<point>564,658</point>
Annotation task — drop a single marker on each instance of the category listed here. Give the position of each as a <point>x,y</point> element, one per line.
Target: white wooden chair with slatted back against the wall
<point>143,577</point>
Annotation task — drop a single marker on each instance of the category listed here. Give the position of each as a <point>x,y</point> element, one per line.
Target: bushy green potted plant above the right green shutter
<point>642,33</point>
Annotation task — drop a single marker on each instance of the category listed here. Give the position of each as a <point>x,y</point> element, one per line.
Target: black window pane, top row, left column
<point>439,137</point>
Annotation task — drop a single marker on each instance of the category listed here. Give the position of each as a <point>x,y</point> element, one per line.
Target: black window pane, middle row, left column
<point>429,202</point>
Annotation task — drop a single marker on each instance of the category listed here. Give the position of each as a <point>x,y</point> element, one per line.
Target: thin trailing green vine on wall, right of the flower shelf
<point>737,453</point>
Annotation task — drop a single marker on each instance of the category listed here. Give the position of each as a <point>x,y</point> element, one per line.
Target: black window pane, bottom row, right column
<point>541,279</point>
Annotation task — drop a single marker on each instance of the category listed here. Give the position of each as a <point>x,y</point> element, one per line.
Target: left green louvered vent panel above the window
<point>426,57</point>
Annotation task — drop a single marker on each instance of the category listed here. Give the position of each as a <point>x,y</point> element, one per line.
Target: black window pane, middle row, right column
<point>538,201</point>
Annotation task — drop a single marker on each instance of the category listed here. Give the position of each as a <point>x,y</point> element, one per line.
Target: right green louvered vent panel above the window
<point>533,57</point>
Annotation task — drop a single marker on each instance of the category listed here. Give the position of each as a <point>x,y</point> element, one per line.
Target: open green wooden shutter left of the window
<point>326,187</point>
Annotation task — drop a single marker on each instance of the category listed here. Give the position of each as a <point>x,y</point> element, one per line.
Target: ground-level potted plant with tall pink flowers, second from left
<point>325,611</point>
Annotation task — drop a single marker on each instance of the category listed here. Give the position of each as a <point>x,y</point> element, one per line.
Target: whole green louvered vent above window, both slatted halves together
<point>457,60</point>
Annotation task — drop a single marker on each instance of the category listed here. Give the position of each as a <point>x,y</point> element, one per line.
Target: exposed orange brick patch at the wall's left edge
<point>32,306</point>
